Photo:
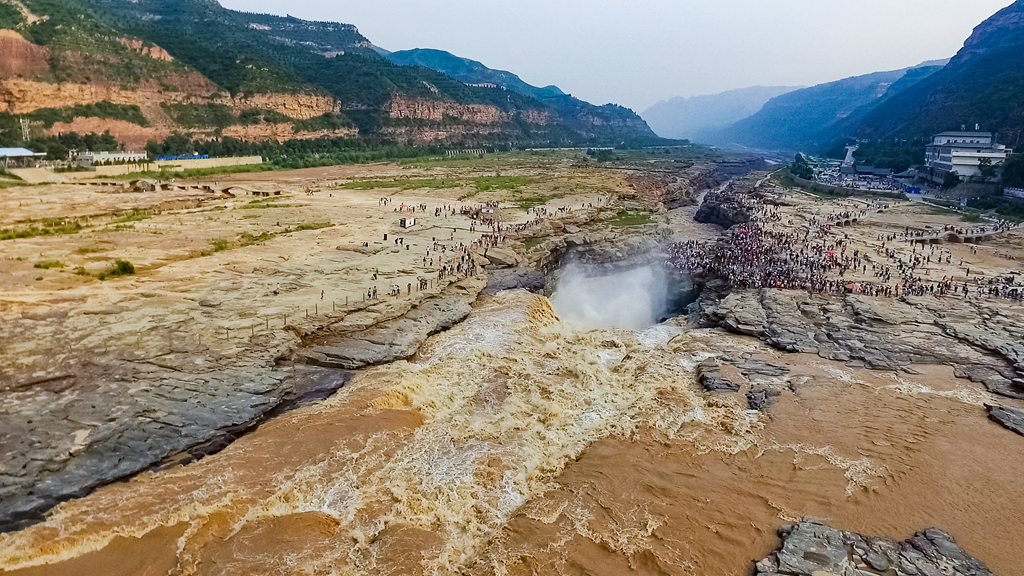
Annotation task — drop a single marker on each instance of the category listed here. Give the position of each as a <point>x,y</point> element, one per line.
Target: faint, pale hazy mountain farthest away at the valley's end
<point>699,117</point>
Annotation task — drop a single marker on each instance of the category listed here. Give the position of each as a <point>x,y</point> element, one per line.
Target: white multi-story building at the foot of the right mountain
<point>962,153</point>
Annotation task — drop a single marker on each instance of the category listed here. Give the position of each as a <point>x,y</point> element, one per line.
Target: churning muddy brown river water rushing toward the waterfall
<point>520,444</point>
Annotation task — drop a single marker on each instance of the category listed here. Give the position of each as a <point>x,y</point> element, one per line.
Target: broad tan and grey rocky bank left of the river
<point>103,381</point>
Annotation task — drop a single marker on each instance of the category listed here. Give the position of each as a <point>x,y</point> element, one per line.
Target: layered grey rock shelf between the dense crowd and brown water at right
<point>982,344</point>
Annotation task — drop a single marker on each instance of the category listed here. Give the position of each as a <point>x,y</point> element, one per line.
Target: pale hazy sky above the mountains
<point>641,52</point>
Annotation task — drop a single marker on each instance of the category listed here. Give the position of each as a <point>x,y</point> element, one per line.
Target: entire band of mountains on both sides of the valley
<point>149,69</point>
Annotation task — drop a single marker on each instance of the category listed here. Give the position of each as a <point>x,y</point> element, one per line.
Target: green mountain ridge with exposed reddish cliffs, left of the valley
<point>147,69</point>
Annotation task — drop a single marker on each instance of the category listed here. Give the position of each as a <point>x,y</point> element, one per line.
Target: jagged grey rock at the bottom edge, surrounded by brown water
<point>813,548</point>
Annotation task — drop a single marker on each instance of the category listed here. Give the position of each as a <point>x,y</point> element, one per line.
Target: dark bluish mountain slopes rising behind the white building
<point>983,86</point>
